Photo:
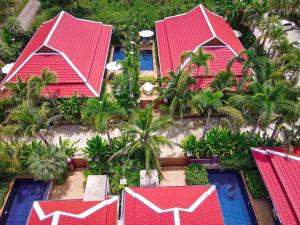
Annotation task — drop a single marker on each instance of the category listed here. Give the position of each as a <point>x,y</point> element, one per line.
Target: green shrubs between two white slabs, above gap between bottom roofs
<point>128,169</point>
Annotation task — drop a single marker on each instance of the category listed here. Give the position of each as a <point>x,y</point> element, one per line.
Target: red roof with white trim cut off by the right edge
<point>280,172</point>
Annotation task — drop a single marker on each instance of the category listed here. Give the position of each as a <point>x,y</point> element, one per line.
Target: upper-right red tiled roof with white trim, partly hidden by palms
<point>197,28</point>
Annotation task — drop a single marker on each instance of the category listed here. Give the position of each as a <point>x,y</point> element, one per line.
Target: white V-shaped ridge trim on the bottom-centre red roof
<point>175,211</point>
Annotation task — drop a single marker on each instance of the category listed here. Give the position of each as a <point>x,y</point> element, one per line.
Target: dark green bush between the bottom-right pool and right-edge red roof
<point>255,184</point>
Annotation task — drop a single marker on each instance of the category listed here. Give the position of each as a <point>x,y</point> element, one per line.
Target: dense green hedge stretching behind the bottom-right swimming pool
<point>233,149</point>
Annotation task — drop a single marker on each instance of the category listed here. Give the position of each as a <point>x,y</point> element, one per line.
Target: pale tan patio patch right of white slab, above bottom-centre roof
<point>173,176</point>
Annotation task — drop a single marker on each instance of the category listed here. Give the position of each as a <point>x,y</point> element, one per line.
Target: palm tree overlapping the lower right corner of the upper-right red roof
<point>250,60</point>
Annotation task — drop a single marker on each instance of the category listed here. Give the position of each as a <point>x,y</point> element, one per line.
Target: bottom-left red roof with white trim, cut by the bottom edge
<point>74,212</point>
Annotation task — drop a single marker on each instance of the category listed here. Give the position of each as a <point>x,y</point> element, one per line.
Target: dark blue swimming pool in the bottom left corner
<point>20,200</point>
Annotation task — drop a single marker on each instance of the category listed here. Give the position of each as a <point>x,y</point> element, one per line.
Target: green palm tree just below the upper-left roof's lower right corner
<point>100,113</point>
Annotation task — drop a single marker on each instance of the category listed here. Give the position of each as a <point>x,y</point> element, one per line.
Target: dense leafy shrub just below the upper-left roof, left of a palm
<point>71,108</point>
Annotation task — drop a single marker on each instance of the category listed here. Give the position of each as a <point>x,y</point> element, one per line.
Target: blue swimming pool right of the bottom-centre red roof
<point>233,198</point>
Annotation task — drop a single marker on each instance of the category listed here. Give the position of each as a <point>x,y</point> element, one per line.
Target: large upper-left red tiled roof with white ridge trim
<point>75,49</point>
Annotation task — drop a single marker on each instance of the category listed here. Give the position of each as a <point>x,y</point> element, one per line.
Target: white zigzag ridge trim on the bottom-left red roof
<point>56,214</point>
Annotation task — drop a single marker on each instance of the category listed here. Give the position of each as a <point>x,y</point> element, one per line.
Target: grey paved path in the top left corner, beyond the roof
<point>28,13</point>
